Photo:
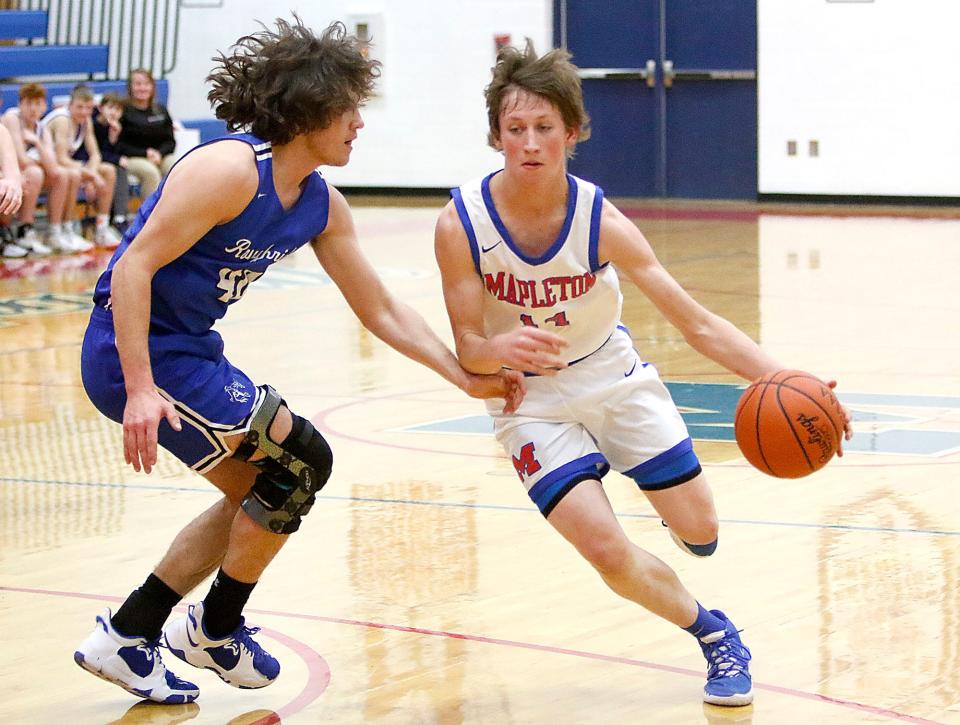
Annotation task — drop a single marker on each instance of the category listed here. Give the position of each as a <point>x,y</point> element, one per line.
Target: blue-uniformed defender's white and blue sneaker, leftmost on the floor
<point>133,663</point>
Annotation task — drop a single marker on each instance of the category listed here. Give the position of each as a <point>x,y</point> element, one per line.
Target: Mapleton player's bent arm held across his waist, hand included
<point>527,349</point>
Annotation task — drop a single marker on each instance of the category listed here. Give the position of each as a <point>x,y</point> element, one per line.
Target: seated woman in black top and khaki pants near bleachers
<point>146,135</point>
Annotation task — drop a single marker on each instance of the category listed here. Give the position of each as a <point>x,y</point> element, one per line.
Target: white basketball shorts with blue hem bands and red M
<point>609,410</point>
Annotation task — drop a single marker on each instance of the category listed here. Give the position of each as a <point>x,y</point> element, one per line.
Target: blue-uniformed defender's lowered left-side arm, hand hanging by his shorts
<point>194,199</point>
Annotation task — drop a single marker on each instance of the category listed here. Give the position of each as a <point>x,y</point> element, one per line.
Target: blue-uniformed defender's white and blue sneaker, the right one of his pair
<point>237,658</point>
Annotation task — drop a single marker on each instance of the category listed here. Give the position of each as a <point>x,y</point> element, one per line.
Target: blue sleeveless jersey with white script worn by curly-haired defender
<point>192,292</point>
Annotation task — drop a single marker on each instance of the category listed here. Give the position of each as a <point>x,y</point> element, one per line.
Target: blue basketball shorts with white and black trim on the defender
<point>213,398</point>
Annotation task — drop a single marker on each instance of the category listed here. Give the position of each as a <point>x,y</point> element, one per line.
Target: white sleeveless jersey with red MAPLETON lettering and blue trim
<point>565,290</point>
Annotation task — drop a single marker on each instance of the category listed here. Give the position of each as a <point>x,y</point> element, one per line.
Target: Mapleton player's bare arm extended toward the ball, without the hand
<point>707,333</point>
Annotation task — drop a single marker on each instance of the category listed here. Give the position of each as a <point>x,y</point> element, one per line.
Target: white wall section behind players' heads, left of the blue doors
<point>427,128</point>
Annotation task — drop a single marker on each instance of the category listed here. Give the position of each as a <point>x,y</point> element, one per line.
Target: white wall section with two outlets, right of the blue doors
<point>875,83</point>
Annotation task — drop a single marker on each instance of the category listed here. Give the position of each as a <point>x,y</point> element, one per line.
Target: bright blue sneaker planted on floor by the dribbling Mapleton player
<point>728,669</point>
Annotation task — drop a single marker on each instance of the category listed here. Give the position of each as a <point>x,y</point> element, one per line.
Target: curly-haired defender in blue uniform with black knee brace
<point>226,212</point>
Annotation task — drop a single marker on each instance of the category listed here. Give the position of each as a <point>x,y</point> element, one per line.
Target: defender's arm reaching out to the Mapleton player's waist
<point>394,322</point>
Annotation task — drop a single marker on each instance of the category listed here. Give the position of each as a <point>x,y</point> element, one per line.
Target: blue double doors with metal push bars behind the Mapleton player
<point>670,86</point>
